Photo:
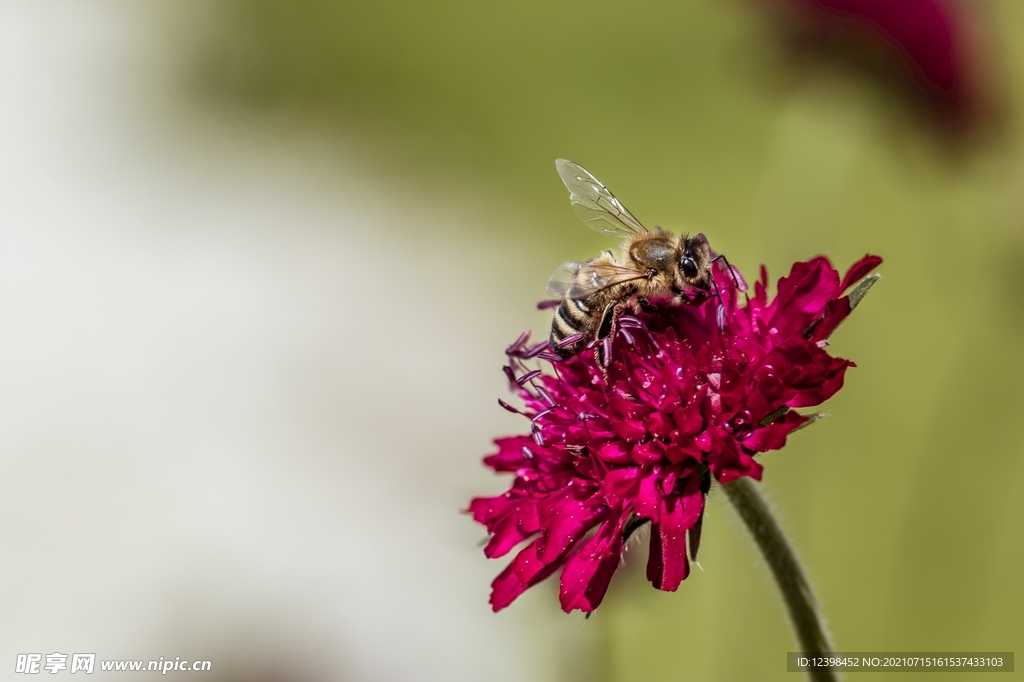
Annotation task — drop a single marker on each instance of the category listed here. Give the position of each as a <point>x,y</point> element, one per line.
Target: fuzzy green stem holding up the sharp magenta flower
<point>797,593</point>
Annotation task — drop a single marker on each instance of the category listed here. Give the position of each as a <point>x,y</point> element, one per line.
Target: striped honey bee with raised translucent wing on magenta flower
<point>654,264</point>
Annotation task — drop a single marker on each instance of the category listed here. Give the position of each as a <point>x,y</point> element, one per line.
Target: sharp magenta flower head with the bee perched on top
<point>680,403</point>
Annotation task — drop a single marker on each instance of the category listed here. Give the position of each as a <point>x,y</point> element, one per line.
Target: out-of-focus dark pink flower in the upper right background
<point>925,49</point>
